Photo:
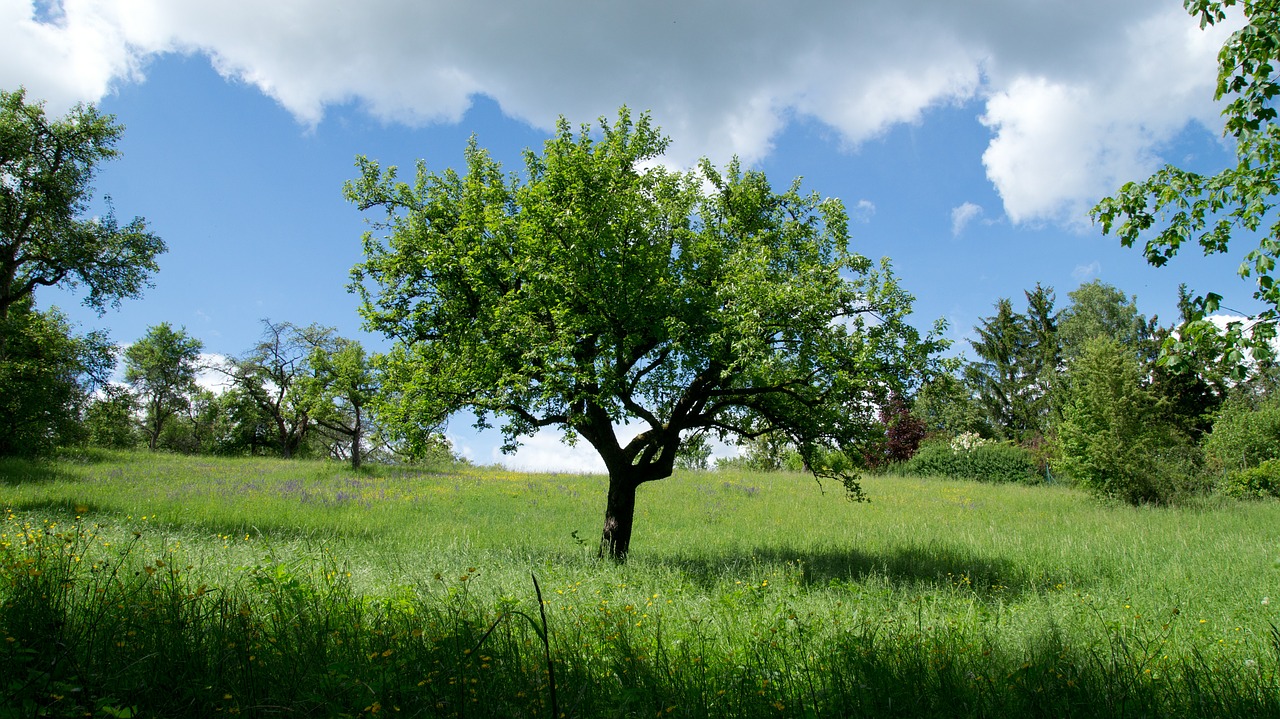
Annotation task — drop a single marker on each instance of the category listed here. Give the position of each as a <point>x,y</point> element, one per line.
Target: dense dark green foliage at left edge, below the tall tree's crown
<point>47,378</point>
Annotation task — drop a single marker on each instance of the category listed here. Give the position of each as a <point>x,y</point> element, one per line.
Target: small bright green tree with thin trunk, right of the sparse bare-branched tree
<point>341,392</point>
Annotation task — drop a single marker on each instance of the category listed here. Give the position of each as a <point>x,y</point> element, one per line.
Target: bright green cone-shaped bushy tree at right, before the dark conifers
<point>1112,439</point>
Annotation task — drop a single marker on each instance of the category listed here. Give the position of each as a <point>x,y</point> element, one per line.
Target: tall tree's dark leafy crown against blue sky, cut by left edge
<point>47,168</point>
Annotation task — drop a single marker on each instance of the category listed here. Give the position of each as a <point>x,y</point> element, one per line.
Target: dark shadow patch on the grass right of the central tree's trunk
<point>931,566</point>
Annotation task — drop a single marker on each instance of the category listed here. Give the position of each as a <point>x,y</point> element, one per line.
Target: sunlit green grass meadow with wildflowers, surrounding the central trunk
<point>138,585</point>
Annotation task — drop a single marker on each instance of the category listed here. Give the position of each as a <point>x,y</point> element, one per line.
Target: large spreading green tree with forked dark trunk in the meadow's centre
<point>605,288</point>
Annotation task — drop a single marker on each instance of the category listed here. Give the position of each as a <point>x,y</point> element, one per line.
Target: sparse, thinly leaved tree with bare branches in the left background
<point>273,375</point>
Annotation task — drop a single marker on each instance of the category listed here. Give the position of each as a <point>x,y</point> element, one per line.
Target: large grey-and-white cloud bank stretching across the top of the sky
<point>1075,103</point>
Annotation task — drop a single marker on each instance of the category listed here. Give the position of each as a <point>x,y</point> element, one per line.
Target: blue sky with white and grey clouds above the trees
<point>967,140</point>
